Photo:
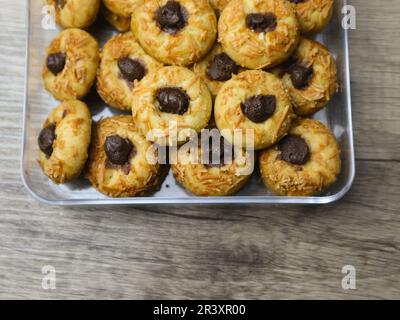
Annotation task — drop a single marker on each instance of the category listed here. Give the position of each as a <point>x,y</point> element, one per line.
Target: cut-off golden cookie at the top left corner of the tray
<point>75,13</point>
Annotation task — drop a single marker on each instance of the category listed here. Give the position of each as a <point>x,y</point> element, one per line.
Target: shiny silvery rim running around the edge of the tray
<point>275,200</point>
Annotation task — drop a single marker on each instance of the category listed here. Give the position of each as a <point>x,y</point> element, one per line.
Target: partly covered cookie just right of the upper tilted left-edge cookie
<point>123,64</point>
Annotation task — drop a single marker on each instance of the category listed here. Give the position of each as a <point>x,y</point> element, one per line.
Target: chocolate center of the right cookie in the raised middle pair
<point>259,108</point>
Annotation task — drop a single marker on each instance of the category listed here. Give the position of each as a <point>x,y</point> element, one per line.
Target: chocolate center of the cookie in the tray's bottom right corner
<point>294,150</point>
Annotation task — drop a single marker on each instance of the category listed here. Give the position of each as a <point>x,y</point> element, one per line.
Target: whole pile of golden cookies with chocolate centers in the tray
<point>177,65</point>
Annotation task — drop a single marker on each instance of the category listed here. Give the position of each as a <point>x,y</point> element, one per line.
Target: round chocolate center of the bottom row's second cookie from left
<point>118,149</point>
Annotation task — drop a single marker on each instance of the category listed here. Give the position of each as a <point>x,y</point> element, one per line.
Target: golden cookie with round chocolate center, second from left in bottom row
<point>118,163</point>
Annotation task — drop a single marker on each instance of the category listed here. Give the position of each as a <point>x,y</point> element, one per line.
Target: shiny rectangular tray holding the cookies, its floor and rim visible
<point>38,103</point>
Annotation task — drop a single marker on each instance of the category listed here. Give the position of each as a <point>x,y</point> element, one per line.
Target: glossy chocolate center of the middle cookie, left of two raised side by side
<point>173,100</point>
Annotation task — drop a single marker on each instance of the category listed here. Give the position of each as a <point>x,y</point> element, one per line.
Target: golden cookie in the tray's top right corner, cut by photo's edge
<point>313,15</point>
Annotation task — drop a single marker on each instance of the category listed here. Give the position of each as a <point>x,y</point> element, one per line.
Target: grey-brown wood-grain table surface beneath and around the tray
<point>215,252</point>
